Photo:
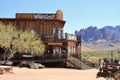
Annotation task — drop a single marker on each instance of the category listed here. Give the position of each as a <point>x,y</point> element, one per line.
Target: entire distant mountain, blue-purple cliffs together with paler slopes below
<point>108,36</point>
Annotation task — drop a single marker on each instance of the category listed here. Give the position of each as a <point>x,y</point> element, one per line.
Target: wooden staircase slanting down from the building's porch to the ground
<point>77,63</point>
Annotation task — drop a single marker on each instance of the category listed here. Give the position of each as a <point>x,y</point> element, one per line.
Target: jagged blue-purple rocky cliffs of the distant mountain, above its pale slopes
<point>92,33</point>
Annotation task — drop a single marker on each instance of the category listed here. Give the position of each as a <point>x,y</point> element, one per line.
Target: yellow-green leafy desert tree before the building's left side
<point>13,40</point>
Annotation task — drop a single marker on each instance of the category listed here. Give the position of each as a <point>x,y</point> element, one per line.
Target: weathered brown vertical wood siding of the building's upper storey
<point>40,26</point>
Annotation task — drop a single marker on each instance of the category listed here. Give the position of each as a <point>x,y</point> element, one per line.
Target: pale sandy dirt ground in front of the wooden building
<point>50,74</point>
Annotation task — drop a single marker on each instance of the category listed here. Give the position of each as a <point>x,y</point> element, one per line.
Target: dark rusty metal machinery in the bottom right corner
<point>109,68</point>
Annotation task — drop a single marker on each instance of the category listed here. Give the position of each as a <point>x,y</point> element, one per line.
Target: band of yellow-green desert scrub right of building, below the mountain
<point>96,55</point>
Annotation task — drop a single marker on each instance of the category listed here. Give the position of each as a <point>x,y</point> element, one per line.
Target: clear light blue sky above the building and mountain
<point>78,14</point>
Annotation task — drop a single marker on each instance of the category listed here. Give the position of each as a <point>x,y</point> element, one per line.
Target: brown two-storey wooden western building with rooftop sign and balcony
<point>51,29</point>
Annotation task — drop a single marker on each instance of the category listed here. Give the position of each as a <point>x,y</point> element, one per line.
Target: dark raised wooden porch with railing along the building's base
<point>41,58</point>
